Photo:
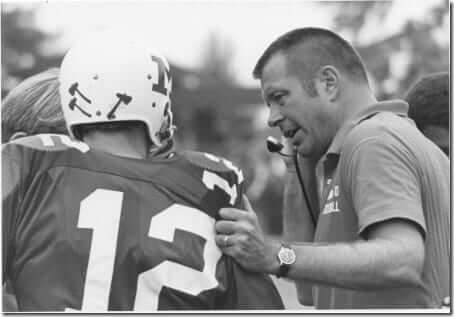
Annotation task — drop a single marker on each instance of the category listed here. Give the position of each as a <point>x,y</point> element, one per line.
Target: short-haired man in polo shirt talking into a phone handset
<point>382,234</point>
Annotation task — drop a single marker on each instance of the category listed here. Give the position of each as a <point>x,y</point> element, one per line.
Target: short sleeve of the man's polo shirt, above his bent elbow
<point>383,183</point>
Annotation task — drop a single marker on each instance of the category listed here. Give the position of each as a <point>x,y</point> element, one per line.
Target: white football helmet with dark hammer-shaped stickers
<point>112,78</point>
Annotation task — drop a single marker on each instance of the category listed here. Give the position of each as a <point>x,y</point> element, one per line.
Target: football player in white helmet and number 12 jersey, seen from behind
<point>113,219</point>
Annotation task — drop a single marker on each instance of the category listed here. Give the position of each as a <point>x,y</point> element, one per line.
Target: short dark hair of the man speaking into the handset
<point>319,47</point>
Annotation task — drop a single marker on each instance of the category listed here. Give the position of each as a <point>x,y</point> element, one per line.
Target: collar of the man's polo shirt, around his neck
<point>398,107</point>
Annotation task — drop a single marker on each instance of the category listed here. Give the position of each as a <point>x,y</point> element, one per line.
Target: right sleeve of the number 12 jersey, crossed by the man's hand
<point>241,289</point>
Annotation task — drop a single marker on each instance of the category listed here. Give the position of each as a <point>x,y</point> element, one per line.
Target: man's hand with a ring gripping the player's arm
<point>240,236</point>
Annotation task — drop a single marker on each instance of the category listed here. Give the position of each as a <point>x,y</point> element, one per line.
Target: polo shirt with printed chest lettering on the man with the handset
<point>379,167</point>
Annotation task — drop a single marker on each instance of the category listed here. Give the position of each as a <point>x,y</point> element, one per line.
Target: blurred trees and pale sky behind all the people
<point>212,48</point>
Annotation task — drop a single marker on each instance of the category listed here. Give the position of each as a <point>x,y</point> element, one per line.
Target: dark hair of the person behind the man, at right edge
<point>428,99</point>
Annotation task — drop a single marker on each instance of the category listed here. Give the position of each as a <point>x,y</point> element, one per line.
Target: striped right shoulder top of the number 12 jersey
<point>214,163</point>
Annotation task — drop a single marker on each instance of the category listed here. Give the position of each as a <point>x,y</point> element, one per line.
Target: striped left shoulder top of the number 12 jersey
<point>50,143</point>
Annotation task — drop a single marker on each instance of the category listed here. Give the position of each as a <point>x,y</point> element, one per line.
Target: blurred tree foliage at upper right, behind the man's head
<point>399,59</point>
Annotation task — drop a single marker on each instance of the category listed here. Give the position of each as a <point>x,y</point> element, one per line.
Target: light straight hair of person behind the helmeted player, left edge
<point>33,107</point>
